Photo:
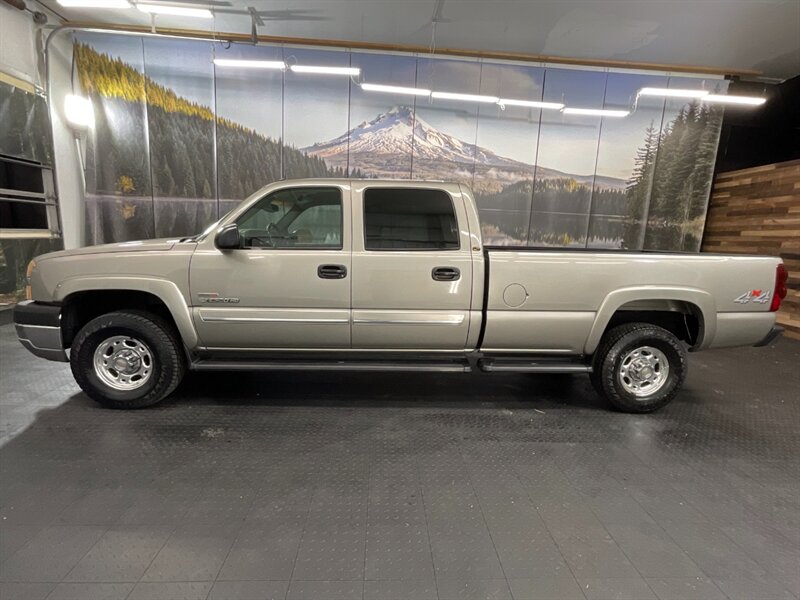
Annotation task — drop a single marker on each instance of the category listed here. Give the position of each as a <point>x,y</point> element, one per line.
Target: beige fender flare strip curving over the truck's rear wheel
<point>618,298</point>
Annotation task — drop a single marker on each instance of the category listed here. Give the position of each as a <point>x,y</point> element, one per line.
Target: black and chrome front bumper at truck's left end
<point>39,329</point>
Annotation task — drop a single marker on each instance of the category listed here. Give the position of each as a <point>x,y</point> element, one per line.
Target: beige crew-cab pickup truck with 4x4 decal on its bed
<point>385,276</point>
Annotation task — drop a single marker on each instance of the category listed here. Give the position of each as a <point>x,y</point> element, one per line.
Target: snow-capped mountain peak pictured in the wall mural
<point>381,148</point>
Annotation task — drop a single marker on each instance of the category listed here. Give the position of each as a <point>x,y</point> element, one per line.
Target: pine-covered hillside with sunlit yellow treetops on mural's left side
<point>181,138</point>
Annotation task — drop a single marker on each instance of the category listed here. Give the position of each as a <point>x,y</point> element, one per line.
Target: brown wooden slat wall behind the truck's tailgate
<point>757,211</point>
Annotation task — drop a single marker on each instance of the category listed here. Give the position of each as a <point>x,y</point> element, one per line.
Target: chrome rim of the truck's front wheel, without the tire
<point>123,362</point>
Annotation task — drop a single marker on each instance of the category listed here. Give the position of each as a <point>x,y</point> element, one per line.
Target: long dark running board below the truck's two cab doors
<point>332,365</point>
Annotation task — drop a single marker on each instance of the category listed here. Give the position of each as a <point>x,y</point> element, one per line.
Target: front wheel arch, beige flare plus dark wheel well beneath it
<point>86,298</point>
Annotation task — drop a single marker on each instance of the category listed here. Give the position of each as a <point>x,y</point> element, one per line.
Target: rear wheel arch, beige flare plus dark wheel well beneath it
<point>687,312</point>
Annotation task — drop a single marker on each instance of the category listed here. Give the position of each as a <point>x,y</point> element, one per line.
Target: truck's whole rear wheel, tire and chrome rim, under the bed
<point>639,367</point>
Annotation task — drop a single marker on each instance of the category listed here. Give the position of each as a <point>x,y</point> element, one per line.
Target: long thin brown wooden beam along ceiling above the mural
<point>489,54</point>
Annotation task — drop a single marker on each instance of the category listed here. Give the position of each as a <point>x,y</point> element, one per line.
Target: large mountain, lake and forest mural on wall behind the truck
<point>178,141</point>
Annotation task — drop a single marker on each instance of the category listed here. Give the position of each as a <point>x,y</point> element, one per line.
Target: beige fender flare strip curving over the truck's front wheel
<point>164,289</point>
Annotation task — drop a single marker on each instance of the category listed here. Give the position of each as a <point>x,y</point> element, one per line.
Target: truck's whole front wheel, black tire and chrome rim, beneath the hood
<point>129,359</point>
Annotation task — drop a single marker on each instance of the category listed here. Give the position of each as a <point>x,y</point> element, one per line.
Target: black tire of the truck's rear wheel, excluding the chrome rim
<point>616,345</point>
